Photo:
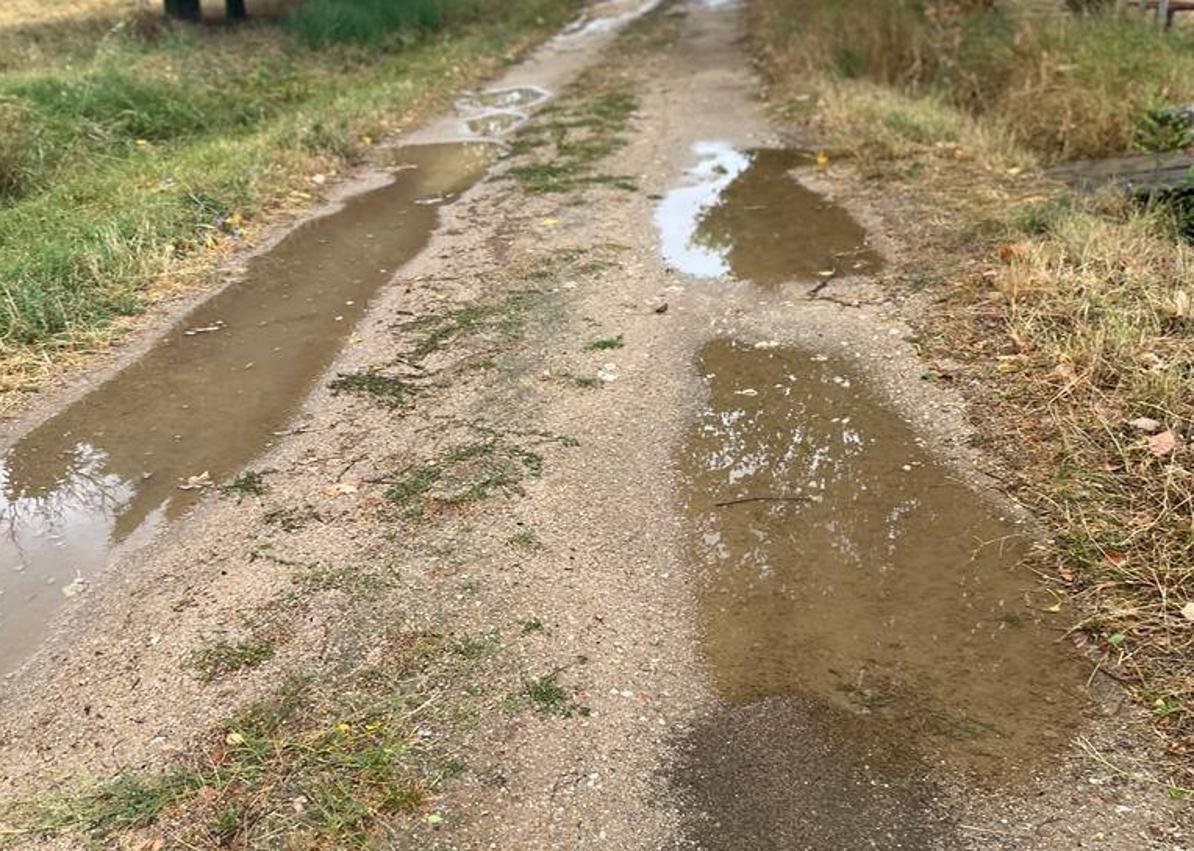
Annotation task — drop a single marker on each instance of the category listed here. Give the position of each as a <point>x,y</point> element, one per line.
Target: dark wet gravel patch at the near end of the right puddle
<point>785,776</point>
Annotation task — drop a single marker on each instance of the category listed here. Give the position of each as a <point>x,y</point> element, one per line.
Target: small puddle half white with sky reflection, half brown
<point>743,214</point>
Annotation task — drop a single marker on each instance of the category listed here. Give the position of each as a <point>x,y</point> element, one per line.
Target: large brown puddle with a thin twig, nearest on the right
<point>846,570</point>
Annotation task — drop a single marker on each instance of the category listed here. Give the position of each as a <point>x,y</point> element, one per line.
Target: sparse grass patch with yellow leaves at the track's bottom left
<point>324,762</point>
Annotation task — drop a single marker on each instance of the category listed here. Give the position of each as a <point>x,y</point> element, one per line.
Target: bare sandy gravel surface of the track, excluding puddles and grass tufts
<point>608,577</point>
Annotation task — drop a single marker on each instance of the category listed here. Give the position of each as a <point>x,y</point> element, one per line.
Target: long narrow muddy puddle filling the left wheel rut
<point>208,398</point>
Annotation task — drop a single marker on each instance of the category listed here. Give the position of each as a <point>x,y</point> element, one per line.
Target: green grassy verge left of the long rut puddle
<point>125,161</point>
